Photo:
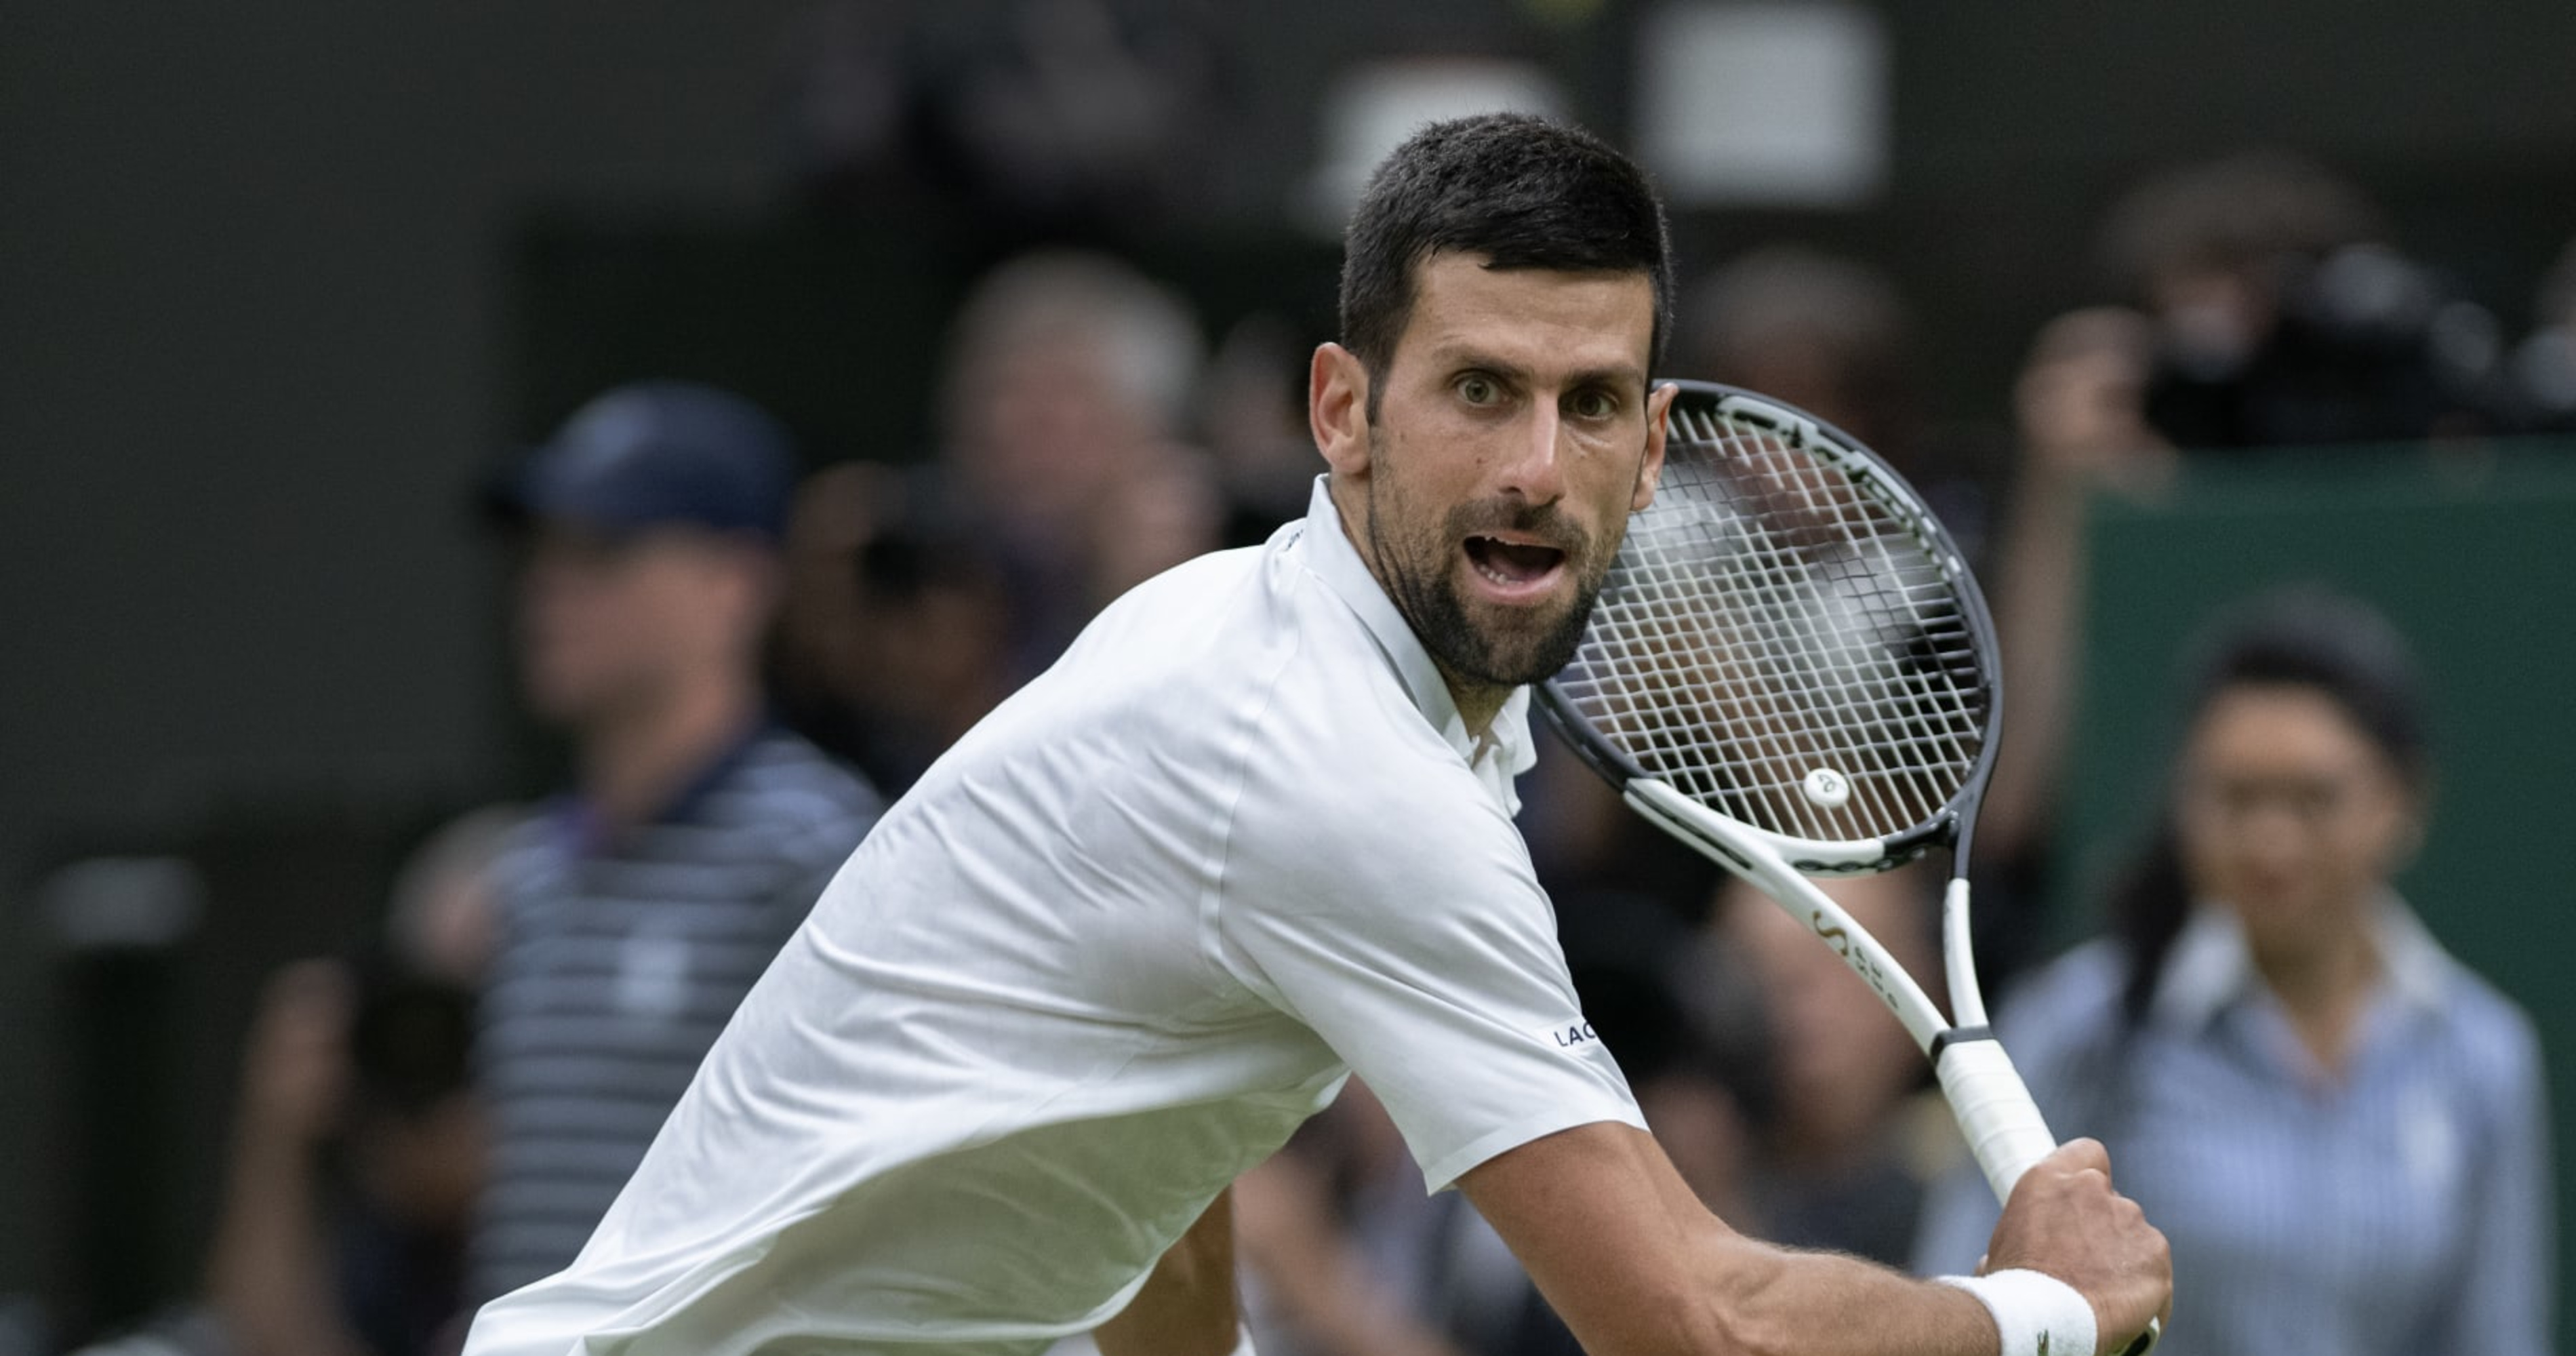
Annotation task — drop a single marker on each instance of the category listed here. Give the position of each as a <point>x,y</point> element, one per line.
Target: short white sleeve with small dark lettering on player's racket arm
<point>1418,945</point>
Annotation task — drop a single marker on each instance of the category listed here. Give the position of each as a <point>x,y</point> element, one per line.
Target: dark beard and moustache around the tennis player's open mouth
<point>1511,648</point>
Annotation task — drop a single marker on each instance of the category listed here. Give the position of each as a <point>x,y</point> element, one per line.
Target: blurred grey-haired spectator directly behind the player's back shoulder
<point>1063,409</point>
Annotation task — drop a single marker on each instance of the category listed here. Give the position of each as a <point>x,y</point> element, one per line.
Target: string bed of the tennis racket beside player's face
<point>1776,615</point>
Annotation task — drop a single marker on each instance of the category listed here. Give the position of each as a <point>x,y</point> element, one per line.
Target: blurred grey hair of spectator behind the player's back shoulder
<point>1142,331</point>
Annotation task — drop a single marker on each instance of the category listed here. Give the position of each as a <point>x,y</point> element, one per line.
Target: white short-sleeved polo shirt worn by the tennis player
<point>1104,958</point>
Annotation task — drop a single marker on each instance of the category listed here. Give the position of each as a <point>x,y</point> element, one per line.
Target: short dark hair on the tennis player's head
<point>1524,192</point>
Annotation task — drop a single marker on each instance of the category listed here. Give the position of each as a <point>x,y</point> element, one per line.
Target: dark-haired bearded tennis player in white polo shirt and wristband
<point>1251,837</point>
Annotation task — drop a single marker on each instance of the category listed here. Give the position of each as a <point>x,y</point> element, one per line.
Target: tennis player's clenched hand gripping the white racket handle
<point>2067,1221</point>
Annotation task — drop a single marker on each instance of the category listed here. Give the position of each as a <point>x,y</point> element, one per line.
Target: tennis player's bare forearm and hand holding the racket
<point>1637,1267</point>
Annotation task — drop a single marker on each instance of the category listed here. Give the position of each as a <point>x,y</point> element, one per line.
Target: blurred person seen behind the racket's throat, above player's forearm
<point>1851,1138</point>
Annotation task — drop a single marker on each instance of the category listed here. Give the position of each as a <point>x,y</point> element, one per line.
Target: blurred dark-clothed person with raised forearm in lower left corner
<point>357,1159</point>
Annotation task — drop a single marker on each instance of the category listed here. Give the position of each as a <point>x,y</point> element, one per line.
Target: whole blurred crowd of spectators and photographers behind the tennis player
<point>746,664</point>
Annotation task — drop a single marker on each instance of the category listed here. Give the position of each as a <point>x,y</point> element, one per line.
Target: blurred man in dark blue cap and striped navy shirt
<point>635,911</point>
